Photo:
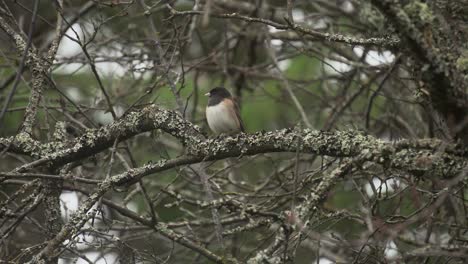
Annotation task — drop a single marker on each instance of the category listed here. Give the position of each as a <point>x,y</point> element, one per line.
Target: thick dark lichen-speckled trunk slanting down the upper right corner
<point>428,39</point>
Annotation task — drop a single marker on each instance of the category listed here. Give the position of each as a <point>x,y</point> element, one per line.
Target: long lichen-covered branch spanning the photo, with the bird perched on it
<point>416,156</point>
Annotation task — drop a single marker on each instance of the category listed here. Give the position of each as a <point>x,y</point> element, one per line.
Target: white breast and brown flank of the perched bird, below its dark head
<point>220,119</point>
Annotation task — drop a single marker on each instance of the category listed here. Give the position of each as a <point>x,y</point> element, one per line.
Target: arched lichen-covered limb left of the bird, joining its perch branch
<point>93,141</point>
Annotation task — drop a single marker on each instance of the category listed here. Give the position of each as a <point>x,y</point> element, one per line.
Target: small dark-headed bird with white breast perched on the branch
<point>222,112</point>
